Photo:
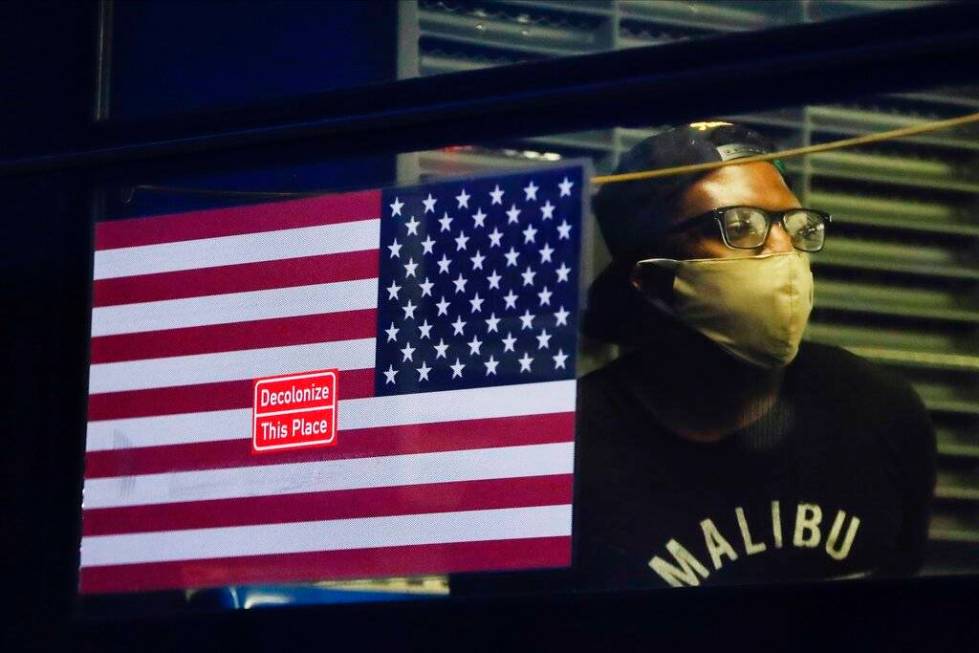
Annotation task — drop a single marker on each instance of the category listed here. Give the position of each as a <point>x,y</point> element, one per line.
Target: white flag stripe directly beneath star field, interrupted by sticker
<point>422,408</point>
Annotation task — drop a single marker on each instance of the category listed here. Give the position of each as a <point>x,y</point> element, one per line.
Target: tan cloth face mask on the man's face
<point>755,308</point>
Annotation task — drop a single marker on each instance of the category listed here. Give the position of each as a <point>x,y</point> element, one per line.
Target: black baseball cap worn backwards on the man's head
<point>633,215</point>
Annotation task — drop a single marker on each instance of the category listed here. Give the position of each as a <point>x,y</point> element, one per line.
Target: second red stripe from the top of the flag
<point>244,277</point>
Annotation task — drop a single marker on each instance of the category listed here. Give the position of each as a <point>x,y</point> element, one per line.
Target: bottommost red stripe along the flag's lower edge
<point>526,553</point>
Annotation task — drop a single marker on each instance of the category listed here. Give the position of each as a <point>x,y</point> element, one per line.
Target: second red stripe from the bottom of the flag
<point>347,504</point>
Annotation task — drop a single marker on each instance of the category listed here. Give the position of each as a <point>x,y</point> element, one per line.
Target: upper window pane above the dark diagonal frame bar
<point>232,55</point>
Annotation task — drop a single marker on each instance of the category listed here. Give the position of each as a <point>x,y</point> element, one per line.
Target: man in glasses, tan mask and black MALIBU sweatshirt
<point>721,449</point>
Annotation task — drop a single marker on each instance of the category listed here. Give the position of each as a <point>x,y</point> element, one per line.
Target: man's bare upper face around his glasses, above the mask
<point>752,184</point>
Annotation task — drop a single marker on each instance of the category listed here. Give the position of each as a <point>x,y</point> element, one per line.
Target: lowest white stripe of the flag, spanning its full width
<point>332,535</point>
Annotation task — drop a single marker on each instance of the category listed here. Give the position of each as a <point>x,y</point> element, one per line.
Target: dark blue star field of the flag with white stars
<point>478,282</point>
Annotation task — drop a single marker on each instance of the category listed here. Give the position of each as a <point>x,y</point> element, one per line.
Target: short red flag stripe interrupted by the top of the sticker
<point>226,395</point>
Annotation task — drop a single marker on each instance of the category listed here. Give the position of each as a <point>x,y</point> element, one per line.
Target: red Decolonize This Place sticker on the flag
<point>295,411</point>
